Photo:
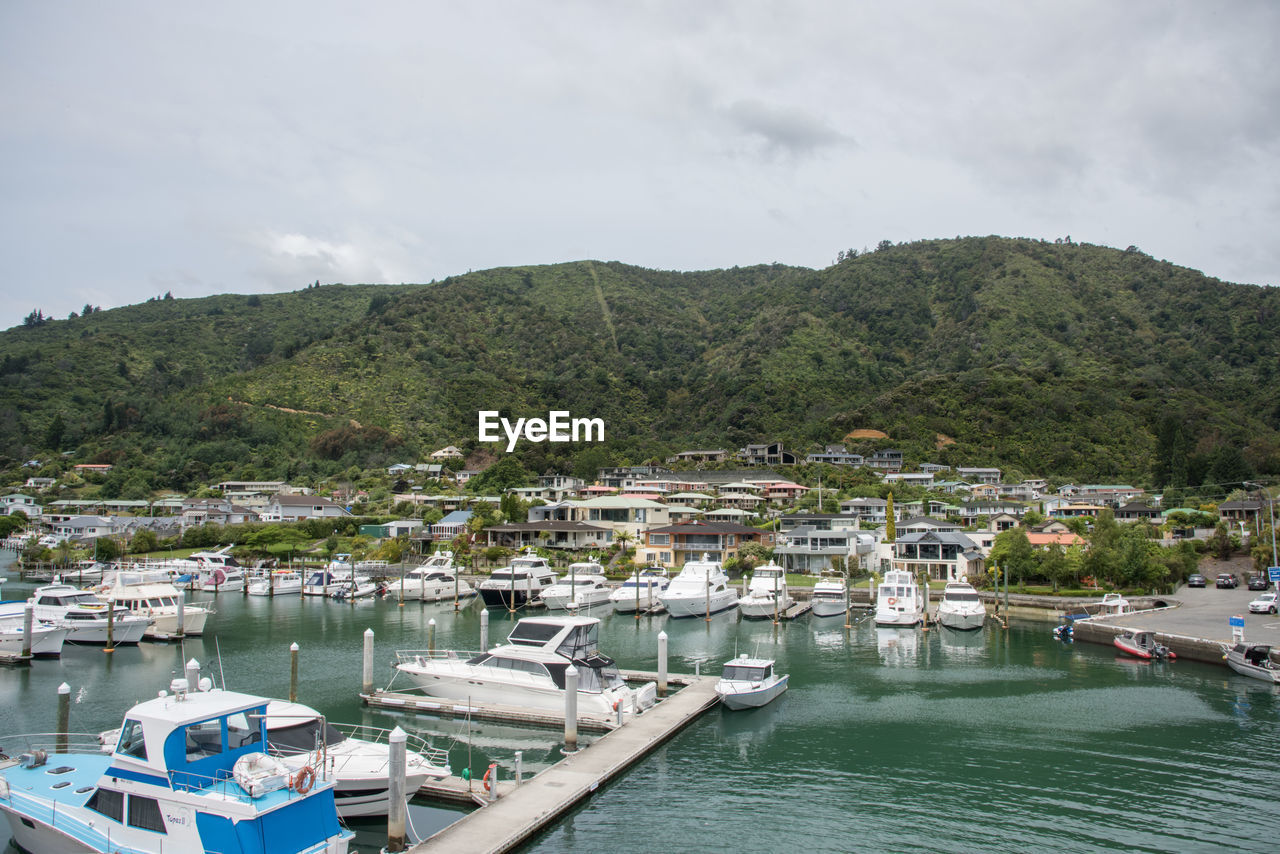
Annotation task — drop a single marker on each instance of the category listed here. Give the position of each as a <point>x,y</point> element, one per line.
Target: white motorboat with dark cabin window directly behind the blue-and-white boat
<point>358,757</point>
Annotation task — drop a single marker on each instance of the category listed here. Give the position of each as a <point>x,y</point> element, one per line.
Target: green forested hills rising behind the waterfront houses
<point>1054,359</point>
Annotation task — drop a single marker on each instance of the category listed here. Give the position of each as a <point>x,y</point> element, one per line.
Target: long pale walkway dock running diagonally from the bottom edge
<point>524,811</point>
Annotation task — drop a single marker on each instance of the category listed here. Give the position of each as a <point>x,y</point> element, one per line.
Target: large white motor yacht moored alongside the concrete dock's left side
<point>529,670</point>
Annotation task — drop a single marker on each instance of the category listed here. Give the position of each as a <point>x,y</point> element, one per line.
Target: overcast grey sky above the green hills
<point>259,147</point>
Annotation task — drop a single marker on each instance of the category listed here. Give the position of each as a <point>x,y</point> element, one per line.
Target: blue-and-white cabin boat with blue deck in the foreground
<point>188,774</point>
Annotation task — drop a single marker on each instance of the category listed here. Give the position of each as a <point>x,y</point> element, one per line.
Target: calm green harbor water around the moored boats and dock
<point>886,739</point>
